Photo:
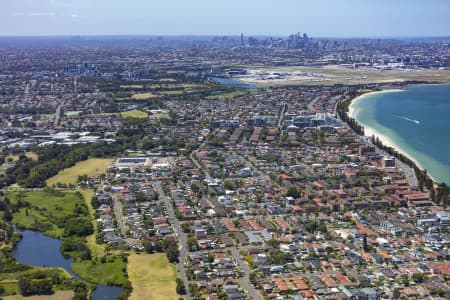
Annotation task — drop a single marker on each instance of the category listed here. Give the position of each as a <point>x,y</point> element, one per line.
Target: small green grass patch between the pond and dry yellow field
<point>103,273</point>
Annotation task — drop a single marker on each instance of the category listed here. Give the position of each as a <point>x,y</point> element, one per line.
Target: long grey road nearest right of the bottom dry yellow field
<point>182,237</point>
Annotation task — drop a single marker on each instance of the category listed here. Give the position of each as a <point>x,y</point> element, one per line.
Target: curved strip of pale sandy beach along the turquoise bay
<point>385,140</point>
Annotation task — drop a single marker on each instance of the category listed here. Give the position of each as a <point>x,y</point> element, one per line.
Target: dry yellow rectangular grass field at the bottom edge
<point>152,277</point>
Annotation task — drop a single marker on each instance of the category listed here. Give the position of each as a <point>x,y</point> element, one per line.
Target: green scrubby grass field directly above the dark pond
<point>47,207</point>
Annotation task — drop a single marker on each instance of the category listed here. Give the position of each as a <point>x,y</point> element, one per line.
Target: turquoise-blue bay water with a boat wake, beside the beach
<point>416,120</point>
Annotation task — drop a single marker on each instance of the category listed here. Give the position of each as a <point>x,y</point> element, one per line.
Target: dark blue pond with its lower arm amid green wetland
<point>37,249</point>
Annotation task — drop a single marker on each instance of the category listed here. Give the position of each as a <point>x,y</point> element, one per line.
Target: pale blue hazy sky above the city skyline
<point>340,18</point>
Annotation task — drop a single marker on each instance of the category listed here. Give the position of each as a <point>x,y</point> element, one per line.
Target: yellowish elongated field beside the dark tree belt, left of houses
<point>90,167</point>
